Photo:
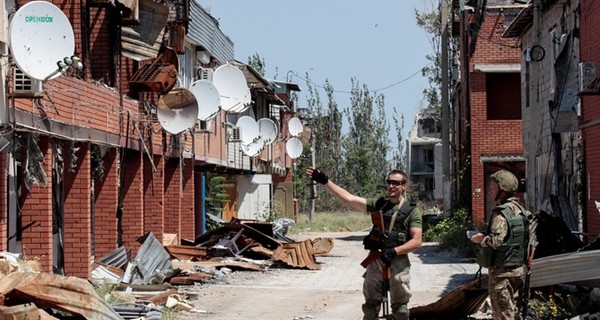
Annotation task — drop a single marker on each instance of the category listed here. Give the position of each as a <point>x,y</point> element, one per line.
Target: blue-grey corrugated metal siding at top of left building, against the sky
<point>204,31</point>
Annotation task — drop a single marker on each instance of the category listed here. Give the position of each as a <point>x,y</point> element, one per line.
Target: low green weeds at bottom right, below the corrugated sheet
<point>552,306</point>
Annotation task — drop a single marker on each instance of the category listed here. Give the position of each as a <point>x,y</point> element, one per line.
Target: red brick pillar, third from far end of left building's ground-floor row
<point>153,196</point>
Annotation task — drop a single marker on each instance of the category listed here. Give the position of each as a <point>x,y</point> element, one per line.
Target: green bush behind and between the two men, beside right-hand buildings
<point>451,233</point>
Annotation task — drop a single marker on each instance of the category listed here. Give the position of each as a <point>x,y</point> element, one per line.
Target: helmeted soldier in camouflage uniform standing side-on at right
<point>508,236</point>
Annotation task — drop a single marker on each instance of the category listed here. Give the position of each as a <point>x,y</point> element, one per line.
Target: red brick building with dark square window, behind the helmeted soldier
<point>487,101</point>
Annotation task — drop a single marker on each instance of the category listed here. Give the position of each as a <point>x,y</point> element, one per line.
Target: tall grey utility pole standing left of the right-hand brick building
<point>446,178</point>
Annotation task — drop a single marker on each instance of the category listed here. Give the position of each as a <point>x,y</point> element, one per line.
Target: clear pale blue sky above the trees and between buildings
<point>377,42</point>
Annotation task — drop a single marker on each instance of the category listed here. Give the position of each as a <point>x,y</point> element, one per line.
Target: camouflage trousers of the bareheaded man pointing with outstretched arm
<point>399,289</point>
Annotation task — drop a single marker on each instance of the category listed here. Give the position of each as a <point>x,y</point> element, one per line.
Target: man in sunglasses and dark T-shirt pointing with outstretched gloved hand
<point>389,244</point>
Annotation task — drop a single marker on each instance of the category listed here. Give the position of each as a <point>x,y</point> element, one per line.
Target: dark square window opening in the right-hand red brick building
<point>503,96</point>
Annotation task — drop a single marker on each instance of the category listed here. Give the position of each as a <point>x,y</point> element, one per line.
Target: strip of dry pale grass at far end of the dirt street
<point>332,222</point>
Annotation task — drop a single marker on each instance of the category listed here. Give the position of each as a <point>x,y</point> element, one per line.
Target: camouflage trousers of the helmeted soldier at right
<point>505,285</point>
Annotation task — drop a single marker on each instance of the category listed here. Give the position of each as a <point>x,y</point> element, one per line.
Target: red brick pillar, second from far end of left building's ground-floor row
<point>172,198</point>
